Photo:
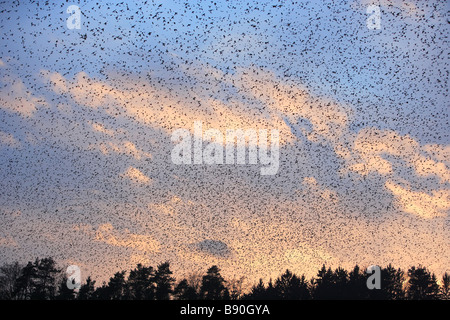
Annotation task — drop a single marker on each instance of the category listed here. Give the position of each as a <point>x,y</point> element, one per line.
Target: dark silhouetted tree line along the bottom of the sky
<point>42,280</point>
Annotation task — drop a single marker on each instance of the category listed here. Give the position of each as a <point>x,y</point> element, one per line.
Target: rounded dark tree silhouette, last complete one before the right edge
<point>421,284</point>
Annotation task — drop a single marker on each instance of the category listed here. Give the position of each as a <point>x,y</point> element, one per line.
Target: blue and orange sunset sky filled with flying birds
<point>86,118</point>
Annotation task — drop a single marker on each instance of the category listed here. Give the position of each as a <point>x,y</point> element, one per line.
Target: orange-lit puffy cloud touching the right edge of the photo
<point>390,154</point>
